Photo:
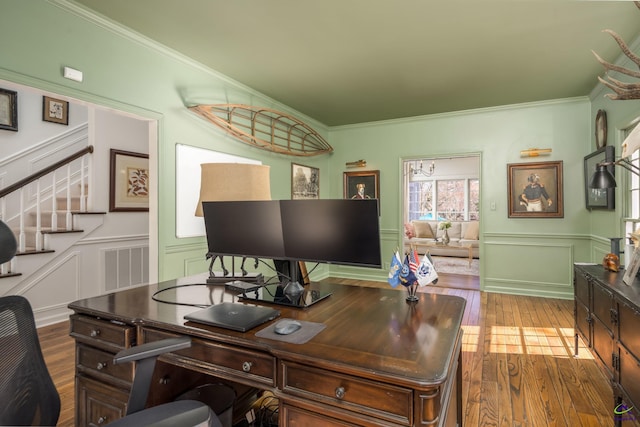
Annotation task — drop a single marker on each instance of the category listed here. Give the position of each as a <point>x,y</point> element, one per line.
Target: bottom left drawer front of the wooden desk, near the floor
<point>98,404</point>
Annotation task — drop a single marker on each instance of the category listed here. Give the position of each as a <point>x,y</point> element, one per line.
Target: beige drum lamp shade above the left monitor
<point>227,182</point>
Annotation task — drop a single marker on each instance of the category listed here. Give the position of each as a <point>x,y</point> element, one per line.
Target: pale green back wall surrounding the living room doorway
<point>524,256</point>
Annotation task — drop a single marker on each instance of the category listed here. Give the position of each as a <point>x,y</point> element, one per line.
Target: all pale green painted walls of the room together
<point>525,256</point>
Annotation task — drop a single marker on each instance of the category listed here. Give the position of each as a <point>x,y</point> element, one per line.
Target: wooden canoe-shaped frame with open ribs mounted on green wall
<point>265,128</point>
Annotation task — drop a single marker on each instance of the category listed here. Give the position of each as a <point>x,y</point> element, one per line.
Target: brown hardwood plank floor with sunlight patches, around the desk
<point>518,363</point>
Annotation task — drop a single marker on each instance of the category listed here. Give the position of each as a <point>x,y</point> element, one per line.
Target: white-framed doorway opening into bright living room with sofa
<point>441,192</point>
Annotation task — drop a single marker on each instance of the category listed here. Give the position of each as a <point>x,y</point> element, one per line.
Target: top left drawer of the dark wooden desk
<point>102,333</point>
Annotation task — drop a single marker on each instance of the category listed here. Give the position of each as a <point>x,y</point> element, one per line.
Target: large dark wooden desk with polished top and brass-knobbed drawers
<point>379,361</point>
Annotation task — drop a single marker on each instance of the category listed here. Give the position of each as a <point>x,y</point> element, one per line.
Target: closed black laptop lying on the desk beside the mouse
<point>235,316</point>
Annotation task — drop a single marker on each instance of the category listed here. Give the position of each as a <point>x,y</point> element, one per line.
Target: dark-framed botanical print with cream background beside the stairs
<point>129,182</point>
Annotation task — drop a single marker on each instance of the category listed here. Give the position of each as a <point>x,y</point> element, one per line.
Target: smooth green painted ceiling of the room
<point>353,61</point>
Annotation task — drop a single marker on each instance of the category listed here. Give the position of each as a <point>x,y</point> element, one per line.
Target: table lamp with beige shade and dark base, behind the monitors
<point>228,182</point>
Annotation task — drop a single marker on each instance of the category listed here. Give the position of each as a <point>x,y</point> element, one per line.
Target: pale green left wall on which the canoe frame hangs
<point>122,71</point>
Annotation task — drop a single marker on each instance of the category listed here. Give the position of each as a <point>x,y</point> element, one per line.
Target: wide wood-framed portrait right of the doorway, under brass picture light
<point>535,190</point>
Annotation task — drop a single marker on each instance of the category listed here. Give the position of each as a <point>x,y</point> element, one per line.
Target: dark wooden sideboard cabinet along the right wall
<point>607,317</point>
